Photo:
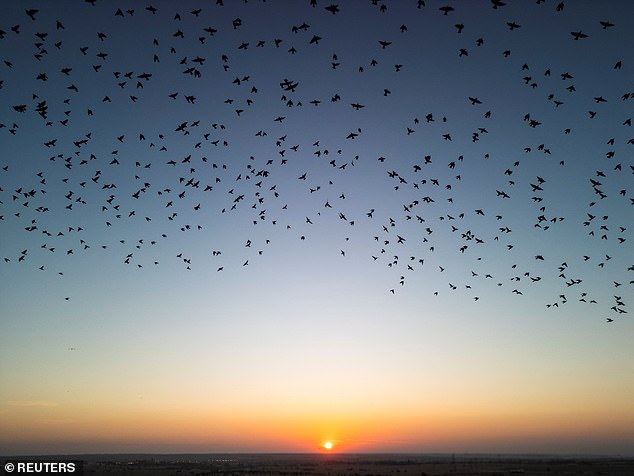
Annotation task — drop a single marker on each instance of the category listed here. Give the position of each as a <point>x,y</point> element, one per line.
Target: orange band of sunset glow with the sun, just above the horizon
<point>199,429</point>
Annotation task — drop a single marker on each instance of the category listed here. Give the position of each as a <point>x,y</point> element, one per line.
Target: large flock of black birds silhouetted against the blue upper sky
<point>196,157</point>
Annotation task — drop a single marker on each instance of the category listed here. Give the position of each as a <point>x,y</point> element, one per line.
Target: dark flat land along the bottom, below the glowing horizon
<point>349,464</point>
